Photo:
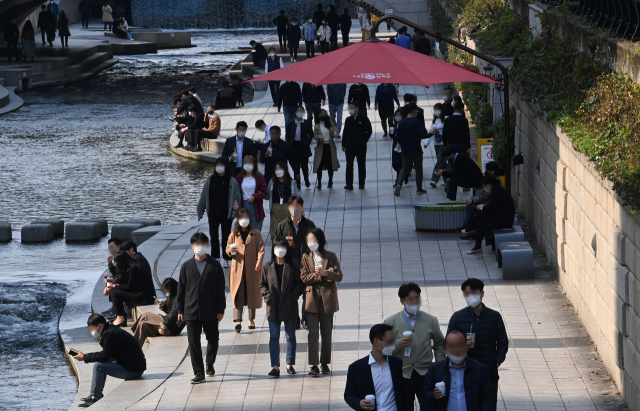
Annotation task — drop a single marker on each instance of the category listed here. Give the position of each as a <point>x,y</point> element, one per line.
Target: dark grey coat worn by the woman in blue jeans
<point>281,299</point>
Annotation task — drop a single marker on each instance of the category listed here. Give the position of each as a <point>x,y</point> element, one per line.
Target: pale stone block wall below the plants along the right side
<point>589,238</point>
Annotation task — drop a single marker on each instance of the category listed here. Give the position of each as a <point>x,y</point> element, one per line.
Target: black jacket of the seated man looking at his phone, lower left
<point>119,346</point>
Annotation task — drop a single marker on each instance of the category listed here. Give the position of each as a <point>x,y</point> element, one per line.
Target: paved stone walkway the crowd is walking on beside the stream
<point>551,364</point>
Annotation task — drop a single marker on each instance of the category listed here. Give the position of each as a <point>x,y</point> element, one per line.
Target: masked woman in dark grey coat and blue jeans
<point>281,288</point>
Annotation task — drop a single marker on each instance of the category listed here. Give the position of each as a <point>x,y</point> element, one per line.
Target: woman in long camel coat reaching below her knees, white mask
<point>246,248</point>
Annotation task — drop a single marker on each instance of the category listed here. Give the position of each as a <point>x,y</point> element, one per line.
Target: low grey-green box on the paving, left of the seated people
<point>439,216</point>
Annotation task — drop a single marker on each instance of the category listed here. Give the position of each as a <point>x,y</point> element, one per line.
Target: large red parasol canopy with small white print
<point>374,61</point>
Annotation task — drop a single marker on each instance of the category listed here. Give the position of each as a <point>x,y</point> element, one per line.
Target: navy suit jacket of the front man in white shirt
<point>360,383</point>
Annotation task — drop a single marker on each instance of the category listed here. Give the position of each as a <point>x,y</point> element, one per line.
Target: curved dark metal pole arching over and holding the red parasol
<point>489,59</point>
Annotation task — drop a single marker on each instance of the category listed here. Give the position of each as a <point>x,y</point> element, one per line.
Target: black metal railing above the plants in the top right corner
<point>621,17</point>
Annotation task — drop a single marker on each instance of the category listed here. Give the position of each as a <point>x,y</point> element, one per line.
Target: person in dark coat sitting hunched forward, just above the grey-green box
<point>462,172</point>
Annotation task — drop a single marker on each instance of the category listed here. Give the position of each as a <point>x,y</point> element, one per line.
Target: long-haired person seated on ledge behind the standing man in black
<point>153,325</point>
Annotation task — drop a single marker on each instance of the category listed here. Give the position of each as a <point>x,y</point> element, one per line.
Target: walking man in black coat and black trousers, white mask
<point>201,303</point>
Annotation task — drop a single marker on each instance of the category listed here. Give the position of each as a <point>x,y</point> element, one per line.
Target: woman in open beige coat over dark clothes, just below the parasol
<point>326,157</point>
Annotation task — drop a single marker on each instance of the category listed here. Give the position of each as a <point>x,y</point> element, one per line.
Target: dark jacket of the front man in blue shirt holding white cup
<point>477,386</point>
